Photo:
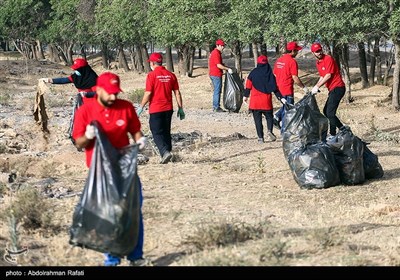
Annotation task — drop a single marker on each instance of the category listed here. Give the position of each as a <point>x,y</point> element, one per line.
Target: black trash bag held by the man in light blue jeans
<point>233,92</point>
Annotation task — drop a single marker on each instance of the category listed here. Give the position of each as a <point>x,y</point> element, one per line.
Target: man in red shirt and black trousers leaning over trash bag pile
<point>330,77</point>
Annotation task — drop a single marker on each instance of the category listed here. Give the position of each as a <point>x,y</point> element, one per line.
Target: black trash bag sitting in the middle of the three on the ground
<point>348,151</point>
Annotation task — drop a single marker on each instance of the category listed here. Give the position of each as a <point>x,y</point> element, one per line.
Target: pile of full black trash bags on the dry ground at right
<point>316,163</point>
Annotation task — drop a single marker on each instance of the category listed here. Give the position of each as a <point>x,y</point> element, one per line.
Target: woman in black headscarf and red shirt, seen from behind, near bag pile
<point>259,85</point>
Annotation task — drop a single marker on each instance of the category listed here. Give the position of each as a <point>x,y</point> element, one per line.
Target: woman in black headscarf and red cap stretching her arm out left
<point>84,78</point>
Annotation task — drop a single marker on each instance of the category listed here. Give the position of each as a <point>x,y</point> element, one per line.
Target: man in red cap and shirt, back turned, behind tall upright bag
<point>286,72</point>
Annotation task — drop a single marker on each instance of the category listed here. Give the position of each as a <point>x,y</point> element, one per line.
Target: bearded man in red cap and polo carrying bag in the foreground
<point>117,118</point>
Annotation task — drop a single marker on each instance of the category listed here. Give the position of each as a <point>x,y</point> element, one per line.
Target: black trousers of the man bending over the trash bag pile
<point>331,105</point>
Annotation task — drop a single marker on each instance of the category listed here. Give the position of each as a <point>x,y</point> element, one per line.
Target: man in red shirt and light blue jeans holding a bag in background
<point>215,67</point>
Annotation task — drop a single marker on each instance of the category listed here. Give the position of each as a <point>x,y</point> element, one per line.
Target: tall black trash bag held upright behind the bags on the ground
<point>303,124</point>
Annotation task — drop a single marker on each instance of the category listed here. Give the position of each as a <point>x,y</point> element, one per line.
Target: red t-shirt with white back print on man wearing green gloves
<point>161,83</point>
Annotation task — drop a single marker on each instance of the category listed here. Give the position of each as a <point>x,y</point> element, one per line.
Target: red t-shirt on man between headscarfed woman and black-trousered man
<point>285,67</point>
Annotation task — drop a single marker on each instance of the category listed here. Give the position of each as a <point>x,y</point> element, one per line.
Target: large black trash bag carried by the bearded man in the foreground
<point>106,218</point>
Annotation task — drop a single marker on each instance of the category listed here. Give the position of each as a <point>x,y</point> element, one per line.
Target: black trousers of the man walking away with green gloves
<point>160,126</point>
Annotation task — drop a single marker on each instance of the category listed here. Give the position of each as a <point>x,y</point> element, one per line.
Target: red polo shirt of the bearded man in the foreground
<point>116,121</point>
